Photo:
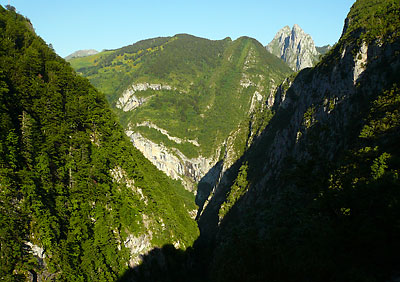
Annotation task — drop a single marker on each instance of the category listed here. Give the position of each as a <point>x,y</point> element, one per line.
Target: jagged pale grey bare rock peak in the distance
<point>295,47</point>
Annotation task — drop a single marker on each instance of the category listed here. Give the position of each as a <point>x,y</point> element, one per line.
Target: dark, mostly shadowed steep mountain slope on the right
<point>316,198</point>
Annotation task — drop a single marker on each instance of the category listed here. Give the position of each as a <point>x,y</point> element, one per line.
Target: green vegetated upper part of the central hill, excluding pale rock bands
<point>203,100</point>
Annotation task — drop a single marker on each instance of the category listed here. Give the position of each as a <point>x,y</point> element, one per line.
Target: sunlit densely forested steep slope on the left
<point>77,201</point>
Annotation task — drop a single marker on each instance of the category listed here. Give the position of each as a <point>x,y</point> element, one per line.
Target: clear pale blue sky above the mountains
<point>88,24</point>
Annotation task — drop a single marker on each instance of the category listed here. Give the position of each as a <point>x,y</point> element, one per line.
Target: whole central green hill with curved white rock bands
<point>188,103</point>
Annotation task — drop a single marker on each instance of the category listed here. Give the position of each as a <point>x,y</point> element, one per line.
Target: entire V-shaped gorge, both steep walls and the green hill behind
<point>299,182</point>
